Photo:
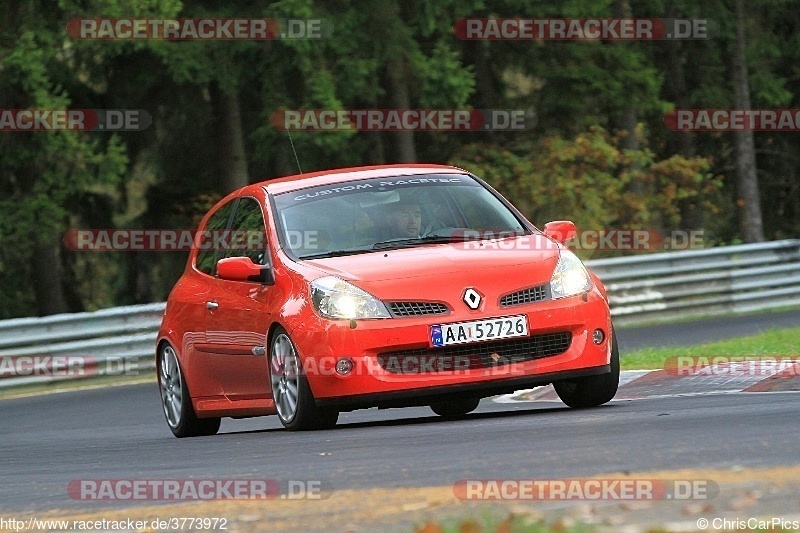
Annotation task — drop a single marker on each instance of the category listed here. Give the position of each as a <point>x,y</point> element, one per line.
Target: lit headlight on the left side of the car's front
<point>336,298</point>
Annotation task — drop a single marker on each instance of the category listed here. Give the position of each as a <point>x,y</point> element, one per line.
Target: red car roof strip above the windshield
<point>339,175</point>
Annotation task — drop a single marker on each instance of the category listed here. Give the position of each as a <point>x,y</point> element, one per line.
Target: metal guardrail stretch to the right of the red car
<point>728,279</point>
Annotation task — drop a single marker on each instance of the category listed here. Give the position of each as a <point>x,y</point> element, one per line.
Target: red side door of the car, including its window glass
<point>237,318</point>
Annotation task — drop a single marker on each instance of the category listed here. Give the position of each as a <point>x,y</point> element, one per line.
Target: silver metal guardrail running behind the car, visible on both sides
<point>646,288</point>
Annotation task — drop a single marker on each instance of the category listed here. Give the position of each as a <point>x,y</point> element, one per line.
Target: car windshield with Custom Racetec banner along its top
<point>388,213</point>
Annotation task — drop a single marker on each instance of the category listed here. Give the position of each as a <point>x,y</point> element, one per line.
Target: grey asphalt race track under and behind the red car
<point>120,433</point>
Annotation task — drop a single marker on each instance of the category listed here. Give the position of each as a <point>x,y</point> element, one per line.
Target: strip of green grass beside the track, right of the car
<point>771,343</point>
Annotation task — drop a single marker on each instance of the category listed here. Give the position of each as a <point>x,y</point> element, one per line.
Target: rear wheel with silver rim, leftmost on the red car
<point>176,400</point>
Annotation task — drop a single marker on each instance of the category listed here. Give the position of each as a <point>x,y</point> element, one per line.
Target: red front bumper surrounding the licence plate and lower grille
<point>321,342</point>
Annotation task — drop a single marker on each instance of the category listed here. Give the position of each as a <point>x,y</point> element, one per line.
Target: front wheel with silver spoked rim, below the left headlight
<point>294,401</point>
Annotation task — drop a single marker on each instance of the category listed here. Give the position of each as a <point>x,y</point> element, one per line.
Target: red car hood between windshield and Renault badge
<point>513,262</point>
